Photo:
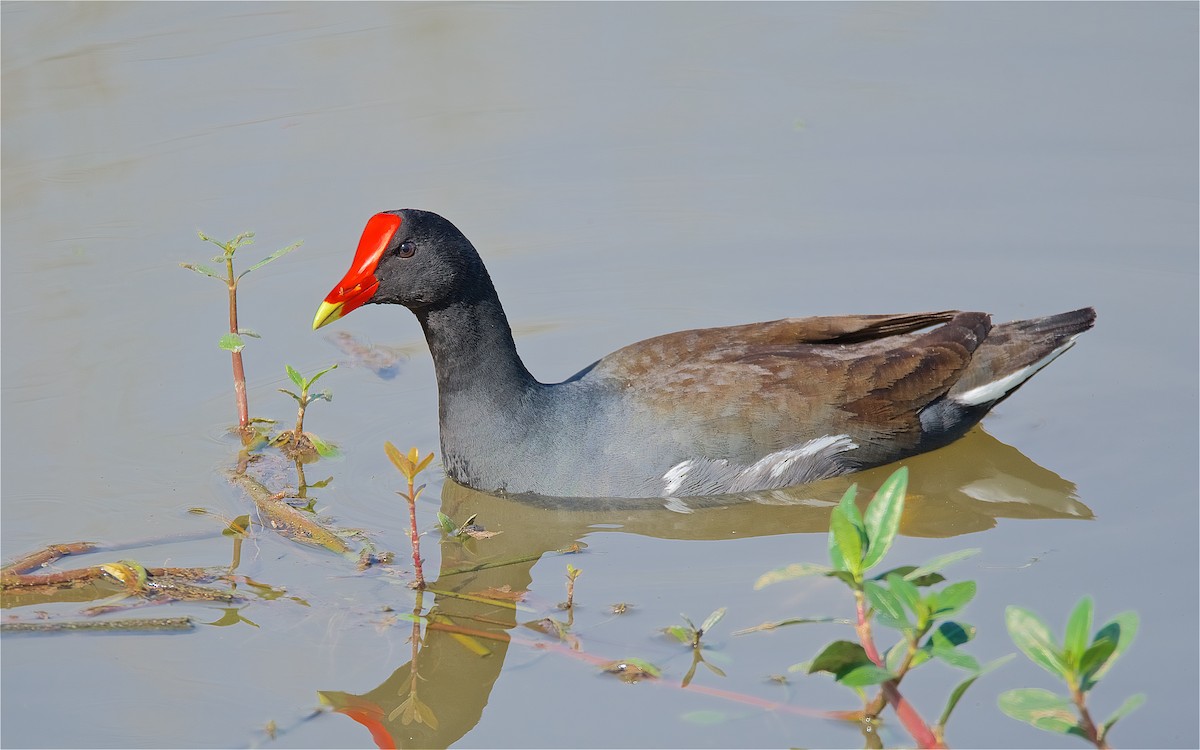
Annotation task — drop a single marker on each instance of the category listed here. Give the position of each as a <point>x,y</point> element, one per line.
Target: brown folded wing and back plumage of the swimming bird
<point>782,383</point>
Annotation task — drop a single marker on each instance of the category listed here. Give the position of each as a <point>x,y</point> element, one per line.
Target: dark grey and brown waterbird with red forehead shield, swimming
<point>694,413</point>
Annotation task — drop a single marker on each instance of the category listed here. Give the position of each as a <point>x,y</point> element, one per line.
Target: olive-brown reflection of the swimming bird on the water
<point>959,490</point>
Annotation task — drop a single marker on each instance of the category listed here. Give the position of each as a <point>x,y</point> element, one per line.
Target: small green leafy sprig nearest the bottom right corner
<point>1078,663</point>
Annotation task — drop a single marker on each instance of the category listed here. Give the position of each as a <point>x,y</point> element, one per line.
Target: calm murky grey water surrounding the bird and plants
<point>626,171</point>
